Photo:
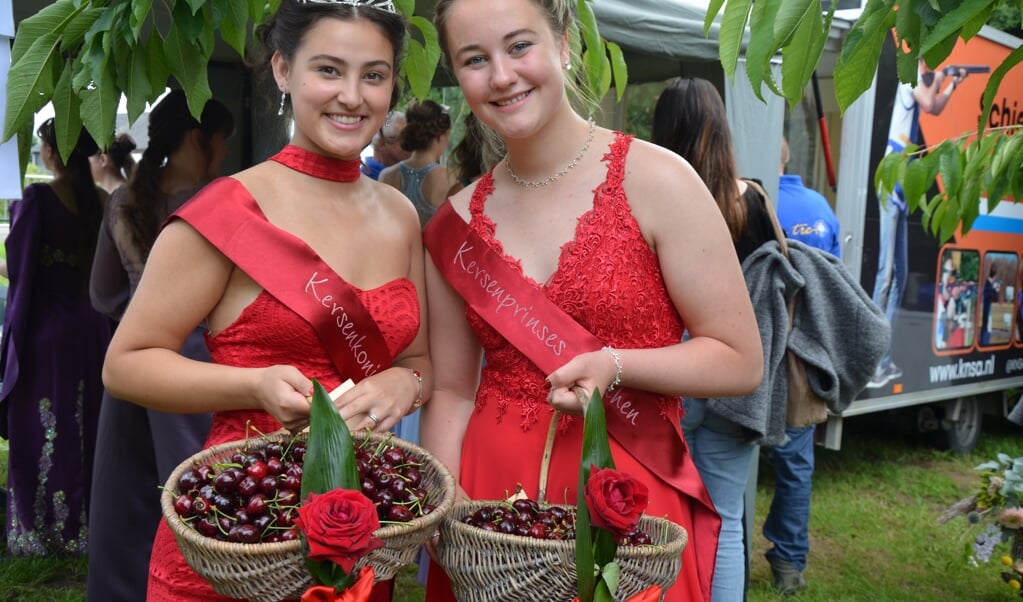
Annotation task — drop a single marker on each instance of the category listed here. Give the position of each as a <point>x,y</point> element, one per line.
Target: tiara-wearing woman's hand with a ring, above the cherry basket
<point>378,403</point>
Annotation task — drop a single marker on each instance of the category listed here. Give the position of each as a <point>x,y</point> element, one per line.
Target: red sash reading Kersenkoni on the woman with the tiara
<point>233,222</point>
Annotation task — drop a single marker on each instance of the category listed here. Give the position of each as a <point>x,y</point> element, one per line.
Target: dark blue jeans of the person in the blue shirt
<point>788,521</point>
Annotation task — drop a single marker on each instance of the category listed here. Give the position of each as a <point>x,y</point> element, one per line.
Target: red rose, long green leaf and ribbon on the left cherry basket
<point>337,521</point>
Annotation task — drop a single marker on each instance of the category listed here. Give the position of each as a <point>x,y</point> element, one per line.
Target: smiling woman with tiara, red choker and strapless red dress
<point>257,255</point>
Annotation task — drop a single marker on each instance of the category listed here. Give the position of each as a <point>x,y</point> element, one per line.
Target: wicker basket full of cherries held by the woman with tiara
<point>234,509</point>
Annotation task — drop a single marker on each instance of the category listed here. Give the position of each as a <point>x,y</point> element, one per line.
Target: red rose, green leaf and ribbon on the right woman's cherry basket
<point>609,506</point>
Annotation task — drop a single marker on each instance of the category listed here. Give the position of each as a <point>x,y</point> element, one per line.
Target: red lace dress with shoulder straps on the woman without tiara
<point>609,281</point>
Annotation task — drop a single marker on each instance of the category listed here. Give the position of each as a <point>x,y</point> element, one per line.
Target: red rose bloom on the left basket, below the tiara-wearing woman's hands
<point>339,527</point>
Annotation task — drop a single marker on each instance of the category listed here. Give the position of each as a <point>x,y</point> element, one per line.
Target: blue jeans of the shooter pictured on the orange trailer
<point>894,264</point>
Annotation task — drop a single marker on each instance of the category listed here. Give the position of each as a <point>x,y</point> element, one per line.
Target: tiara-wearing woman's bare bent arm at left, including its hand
<point>185,280</point>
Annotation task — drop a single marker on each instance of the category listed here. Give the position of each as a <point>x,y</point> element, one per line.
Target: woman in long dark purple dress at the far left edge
<point>53,353</point>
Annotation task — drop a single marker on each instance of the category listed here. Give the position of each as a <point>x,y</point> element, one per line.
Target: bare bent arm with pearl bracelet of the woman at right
<point>724,356</point>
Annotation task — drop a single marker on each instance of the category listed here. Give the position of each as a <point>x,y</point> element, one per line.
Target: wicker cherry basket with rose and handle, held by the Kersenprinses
<point>522,550</point>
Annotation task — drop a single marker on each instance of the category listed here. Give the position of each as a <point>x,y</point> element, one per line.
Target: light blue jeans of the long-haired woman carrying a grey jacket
<point>724,455</point>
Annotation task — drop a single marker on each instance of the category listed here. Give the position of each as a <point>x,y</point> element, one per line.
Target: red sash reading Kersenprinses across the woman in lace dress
<point>550,337</point>
